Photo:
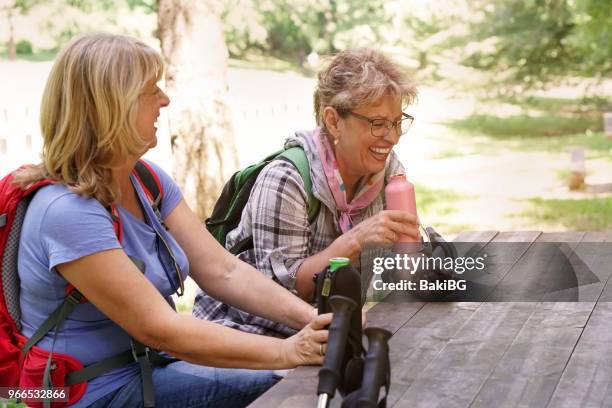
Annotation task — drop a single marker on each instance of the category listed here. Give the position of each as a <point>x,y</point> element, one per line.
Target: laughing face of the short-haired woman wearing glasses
<point>358,153</point>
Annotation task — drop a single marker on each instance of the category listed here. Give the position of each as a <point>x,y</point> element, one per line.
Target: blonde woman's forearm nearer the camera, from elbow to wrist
<point>211,344</point>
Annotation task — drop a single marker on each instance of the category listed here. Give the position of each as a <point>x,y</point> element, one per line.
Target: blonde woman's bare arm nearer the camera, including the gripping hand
<point>114,285</point>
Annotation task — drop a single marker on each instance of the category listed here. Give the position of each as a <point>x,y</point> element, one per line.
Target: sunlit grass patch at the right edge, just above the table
<point>588,214</point>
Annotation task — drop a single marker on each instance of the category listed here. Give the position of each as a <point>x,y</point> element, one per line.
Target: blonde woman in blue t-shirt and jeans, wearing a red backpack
<point>98,116</point>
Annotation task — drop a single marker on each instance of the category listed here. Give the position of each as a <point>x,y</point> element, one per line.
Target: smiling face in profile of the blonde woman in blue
<point>150,101</point>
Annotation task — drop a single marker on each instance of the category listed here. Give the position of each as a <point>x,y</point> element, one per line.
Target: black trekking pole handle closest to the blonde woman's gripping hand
<point>331,372</point>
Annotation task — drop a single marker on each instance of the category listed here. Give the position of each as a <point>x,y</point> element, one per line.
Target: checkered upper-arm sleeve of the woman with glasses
<point>280,222</point>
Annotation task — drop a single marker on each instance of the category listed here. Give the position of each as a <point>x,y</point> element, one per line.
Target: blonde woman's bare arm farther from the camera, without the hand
<point>228,279</point>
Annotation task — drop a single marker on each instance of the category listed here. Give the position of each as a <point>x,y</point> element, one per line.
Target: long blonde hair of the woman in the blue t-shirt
<point>88,112</point>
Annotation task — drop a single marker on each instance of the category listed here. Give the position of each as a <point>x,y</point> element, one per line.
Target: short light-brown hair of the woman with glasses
<point>357,77</point>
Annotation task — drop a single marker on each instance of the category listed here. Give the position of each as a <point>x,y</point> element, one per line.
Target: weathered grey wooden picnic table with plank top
<point>493,354</point>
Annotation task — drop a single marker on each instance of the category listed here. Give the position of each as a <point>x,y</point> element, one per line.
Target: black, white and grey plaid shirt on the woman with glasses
<point>276,215</point>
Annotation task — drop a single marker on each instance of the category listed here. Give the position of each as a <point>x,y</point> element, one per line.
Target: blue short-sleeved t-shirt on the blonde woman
<point>61,226</point>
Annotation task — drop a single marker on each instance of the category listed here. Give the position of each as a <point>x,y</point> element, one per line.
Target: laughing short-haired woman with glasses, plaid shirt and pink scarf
<point>358,105</point>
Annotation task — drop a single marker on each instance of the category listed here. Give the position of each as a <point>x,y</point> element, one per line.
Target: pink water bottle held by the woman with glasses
<point>399,195</point>
